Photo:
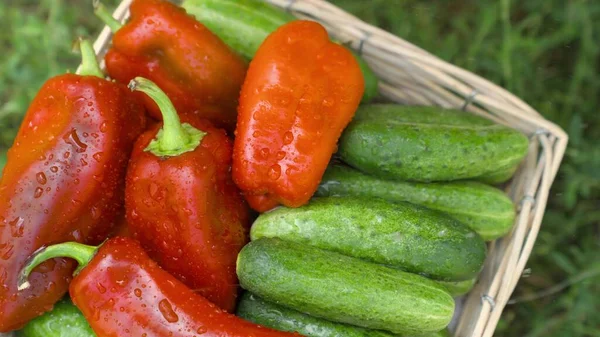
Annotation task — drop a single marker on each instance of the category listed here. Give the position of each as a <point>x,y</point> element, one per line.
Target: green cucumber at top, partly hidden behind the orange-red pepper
<point>244,24</point>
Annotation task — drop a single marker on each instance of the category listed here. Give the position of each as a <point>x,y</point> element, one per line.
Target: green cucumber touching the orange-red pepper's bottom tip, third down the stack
<point>402,235</point>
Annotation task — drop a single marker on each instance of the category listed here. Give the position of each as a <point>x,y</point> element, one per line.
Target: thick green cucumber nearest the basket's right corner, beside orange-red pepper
<point>408,143</point>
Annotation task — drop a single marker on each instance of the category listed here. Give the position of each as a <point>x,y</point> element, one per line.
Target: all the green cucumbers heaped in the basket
<point>397,228</point>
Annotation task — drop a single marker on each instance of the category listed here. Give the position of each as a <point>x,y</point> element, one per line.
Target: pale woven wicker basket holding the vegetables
<point>410,75</point>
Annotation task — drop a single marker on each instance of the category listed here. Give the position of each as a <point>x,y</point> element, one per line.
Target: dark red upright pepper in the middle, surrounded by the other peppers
<point>186,211</point>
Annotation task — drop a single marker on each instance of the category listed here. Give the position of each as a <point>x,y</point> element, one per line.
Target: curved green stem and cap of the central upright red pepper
<point>173,138</point>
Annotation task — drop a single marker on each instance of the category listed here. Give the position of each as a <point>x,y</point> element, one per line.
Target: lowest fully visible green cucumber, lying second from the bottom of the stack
<point>343,289</point>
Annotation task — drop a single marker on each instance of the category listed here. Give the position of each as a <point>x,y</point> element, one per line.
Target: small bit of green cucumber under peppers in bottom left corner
<point>65,320</point>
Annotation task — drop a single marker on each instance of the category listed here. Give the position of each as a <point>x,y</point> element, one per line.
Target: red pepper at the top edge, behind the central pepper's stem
<point>200,73</point>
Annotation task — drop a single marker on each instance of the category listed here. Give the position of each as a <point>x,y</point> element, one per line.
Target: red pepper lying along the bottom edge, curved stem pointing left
<point>122,292</point>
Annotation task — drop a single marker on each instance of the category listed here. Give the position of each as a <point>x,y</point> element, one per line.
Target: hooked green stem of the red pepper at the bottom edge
<point>77,251</point>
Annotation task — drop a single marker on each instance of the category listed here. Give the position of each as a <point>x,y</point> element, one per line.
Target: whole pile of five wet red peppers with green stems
<point>134,190</point>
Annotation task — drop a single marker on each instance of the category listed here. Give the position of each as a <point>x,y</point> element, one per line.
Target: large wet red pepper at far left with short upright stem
<point>64,181</point>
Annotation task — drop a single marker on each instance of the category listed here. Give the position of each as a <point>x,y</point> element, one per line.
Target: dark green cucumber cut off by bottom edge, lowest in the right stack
<point>259,311</point>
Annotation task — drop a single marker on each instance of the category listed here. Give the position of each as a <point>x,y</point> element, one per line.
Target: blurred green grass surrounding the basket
<point>545,51</point>
